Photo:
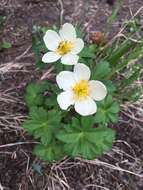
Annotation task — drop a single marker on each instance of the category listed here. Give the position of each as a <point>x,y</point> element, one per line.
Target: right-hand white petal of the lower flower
<point>98,90</point>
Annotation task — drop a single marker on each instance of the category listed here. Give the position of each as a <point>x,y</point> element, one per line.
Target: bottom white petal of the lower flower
<point>86,107</point>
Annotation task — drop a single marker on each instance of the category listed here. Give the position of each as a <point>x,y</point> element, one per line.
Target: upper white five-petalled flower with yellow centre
<point>64,45</point>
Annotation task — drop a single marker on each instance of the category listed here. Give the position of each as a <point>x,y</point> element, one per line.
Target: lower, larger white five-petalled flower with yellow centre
<point>79,91</point>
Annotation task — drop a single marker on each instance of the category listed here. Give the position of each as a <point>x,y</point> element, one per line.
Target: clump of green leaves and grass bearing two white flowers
<point>70,114</point>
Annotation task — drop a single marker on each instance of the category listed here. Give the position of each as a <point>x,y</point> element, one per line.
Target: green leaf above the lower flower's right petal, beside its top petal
<point>101,70</point>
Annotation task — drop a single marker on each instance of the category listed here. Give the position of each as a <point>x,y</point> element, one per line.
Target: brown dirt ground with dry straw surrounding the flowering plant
<point>119,169</point>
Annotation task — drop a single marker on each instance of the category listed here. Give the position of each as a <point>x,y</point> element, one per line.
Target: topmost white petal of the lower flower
<point>82,72</point>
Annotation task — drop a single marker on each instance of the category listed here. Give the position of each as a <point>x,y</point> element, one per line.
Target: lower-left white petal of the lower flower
<point>65,99</point>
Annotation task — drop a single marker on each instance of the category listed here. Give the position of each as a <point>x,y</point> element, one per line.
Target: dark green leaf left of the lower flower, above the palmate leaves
<point>34,93</point>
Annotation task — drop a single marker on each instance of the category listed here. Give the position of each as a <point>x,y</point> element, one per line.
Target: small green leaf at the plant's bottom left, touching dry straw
<point>51,152</point>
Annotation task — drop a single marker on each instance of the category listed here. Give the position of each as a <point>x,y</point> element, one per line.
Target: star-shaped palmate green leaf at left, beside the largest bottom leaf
<point>43,124</point>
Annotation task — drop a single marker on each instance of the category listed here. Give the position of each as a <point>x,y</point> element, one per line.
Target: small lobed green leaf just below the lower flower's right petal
<point>107,111</point>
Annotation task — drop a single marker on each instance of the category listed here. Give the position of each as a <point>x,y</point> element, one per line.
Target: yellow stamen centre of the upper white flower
<point>64,47</point>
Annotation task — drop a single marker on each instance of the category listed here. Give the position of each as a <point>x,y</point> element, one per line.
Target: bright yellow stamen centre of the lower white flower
<point>81,90</point>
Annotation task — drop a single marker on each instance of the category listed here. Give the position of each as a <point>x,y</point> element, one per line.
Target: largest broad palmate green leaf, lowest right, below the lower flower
<point>84,140</point>
